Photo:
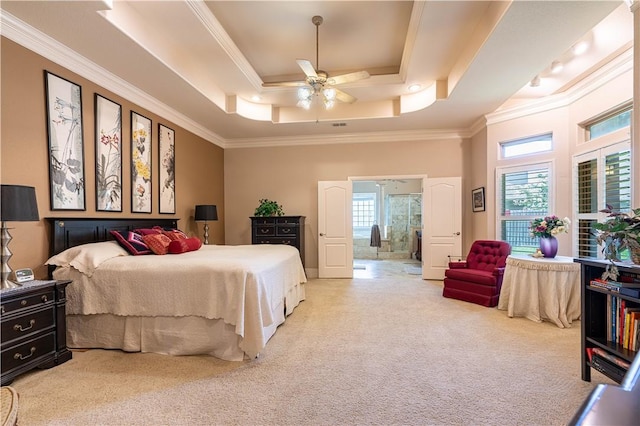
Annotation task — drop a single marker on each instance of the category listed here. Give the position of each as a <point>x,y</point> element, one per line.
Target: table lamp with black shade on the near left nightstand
<point>18,203</point>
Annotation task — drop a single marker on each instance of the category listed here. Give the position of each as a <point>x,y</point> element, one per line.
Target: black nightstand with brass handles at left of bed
<point>33,329</point>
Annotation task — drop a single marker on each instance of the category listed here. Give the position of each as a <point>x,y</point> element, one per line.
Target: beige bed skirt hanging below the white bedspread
<point>189,335</point>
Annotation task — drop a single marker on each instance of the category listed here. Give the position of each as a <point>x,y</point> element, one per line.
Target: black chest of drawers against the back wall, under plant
<point>279,230</point>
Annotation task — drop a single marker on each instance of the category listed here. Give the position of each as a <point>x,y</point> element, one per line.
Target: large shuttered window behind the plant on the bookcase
<point>601,177</point>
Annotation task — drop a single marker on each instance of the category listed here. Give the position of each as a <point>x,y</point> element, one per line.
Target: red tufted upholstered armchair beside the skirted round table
<point>479,278</point>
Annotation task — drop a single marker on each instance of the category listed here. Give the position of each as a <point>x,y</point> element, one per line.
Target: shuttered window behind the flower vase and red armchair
<point>523,195</point>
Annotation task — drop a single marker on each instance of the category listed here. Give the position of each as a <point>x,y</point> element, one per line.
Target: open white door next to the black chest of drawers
<point>335,229</point>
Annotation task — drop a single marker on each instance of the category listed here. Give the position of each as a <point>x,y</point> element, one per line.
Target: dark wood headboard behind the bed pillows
<point>70,232</point>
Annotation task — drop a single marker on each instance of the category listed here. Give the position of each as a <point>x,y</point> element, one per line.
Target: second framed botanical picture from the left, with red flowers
<point>108,116</point>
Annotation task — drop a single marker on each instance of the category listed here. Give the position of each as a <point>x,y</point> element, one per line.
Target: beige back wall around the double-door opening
<point>290,176</point>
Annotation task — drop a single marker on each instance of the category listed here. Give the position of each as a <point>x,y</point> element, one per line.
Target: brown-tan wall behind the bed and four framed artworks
<point>24,161</point>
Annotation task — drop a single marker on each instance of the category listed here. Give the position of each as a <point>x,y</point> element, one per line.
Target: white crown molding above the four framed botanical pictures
<point>45,46</point>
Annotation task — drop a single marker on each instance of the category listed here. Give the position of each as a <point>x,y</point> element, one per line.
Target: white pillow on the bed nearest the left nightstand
<point>87,257</point>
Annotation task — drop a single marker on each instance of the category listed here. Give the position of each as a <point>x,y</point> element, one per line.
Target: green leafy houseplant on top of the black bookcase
<point>619,232</point>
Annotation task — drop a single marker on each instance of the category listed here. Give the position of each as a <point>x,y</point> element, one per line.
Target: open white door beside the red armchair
<point>442,232</point>
